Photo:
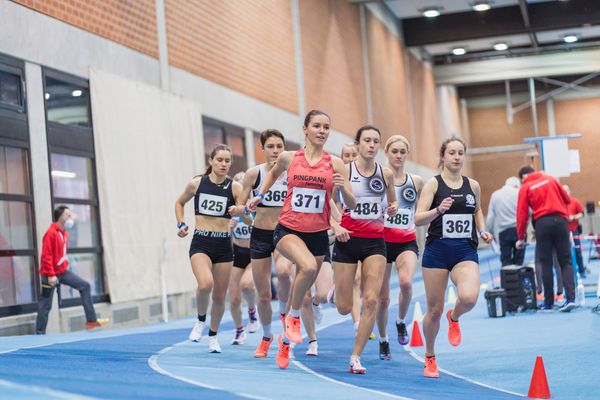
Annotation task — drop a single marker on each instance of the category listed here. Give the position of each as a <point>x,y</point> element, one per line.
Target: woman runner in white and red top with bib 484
<point>359,237</point>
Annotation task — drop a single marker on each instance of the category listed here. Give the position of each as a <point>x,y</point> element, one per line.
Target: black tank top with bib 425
<point>213,199</point>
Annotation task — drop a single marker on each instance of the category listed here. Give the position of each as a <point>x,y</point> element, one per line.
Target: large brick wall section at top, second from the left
<point>244,45</point>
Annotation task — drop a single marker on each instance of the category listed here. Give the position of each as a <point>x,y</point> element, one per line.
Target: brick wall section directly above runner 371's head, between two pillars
<point>332,56</point>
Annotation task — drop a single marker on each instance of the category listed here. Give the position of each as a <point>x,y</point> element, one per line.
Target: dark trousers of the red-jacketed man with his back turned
<point>552,234</point>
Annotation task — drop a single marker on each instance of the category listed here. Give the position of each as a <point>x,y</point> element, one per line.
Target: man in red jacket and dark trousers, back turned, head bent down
<point>548,202</point>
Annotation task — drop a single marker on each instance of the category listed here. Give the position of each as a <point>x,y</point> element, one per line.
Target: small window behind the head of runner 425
<point>216,132</point>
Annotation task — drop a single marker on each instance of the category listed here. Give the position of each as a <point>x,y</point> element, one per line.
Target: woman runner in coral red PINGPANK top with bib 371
<point>301,235</point>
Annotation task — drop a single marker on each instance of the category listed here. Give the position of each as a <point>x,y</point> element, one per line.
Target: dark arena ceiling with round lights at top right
<point>503,28</point>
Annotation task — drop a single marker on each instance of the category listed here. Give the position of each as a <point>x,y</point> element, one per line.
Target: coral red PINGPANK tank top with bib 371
<point>306,205</point>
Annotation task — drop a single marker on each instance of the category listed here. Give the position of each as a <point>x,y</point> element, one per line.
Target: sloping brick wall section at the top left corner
<point>130,23</point>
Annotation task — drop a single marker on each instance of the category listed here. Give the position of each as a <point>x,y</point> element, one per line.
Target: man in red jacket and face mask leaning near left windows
<point>54,269</point>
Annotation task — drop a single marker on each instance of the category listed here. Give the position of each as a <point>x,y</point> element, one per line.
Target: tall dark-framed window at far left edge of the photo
<point>18,259</point>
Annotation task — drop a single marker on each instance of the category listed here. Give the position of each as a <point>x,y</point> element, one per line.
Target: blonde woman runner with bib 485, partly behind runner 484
<point>400,242</point>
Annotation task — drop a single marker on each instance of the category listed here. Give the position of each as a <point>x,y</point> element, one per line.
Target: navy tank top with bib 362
<point>459,221</point>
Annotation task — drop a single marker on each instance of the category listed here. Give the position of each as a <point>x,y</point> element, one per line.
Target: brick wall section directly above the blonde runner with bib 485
<point>388,79</point>
